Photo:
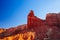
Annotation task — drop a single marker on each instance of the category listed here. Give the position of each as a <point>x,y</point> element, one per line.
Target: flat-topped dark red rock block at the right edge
<point>53,19</point>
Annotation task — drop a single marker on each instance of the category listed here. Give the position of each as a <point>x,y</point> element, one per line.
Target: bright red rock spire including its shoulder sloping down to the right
<point>33,21</point>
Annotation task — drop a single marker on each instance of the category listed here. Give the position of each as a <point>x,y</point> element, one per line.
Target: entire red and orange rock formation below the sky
<point>35,29</point>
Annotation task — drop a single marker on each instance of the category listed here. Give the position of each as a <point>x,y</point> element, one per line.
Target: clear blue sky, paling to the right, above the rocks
<point>14,12</point>
